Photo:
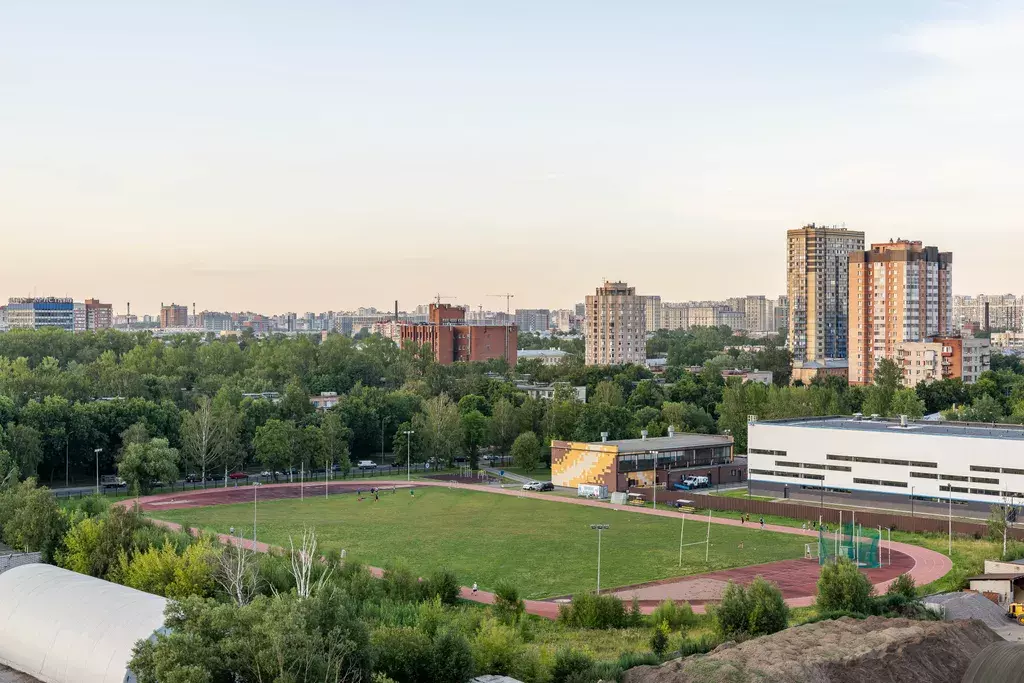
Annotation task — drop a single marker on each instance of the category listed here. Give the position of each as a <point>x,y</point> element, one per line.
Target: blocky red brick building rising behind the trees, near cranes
<point>453,340</point>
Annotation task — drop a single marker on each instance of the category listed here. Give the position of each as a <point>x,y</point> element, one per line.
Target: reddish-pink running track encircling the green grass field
<point>797,578</point>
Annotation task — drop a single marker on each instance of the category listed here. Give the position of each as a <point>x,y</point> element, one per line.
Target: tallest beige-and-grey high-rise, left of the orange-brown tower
<point>818,288</point>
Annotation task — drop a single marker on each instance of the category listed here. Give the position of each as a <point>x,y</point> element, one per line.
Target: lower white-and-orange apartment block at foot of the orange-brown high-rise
<point>944,359</point>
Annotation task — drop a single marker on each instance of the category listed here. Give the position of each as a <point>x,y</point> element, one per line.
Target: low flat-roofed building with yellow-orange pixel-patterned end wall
<point>639,462</point>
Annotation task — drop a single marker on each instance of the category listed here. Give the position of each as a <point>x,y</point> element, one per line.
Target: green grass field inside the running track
<point>546,548</point>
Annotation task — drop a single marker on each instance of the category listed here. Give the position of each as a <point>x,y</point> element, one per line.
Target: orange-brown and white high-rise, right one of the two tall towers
<point>900,292</point>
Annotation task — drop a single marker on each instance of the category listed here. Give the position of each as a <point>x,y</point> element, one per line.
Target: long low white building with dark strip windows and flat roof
<point>888,463</point>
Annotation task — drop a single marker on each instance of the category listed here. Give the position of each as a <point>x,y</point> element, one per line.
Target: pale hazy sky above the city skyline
<point>314,155</point>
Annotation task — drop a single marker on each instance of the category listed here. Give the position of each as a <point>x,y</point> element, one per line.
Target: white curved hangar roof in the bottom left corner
<point>63,627</point>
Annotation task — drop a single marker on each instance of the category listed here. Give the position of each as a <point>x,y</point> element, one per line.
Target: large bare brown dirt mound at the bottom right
<point>845,651</point>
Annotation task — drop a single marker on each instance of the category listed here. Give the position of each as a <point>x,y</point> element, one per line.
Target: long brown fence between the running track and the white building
<point>832,517</point>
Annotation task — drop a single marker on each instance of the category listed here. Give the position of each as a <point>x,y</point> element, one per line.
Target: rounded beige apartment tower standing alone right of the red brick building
<point>617,327</point>
